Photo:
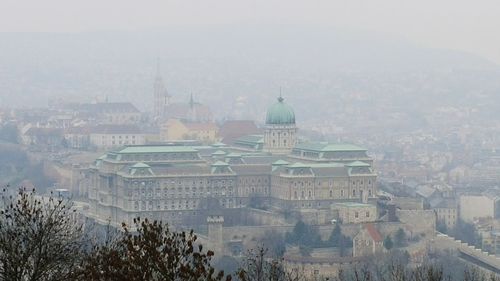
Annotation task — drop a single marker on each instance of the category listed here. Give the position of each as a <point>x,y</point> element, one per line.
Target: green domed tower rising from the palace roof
<point>280,133</point>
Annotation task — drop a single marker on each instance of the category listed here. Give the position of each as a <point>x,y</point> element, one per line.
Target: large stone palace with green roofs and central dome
<point>182,184</point>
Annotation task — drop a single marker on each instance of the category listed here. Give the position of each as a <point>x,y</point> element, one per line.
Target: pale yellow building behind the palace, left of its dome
<point>174,129</point>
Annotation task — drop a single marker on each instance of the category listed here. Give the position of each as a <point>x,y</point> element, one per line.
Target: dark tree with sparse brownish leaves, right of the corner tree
<point>152,252</point>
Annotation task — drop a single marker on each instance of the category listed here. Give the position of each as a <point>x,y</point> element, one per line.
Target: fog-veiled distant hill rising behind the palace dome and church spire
<point>238,68</point>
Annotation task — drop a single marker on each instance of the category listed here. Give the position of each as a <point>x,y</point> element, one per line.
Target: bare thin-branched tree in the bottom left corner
<point>40,238</point>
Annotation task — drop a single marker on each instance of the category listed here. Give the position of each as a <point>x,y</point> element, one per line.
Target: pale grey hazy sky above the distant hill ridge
<point>454,24</point>
